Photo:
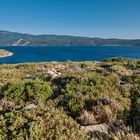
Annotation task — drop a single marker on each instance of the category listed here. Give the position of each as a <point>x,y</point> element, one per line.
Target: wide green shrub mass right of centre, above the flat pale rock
<point>94,92</point>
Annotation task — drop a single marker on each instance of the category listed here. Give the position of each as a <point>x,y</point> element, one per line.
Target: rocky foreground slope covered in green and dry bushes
<point>34,104</point>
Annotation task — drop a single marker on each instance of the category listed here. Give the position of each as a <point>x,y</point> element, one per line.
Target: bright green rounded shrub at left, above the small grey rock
<point>22,93</point>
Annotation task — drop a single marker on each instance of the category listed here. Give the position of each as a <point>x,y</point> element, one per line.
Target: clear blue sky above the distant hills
<point>93,18</point>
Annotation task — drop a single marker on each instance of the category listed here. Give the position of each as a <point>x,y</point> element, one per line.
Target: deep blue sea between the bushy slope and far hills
<point>64,53</point>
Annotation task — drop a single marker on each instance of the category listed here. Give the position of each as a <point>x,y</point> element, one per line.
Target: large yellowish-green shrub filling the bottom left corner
<point>40,123</point>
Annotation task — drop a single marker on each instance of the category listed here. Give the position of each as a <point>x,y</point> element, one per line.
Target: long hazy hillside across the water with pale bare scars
<point>18,39</point>
